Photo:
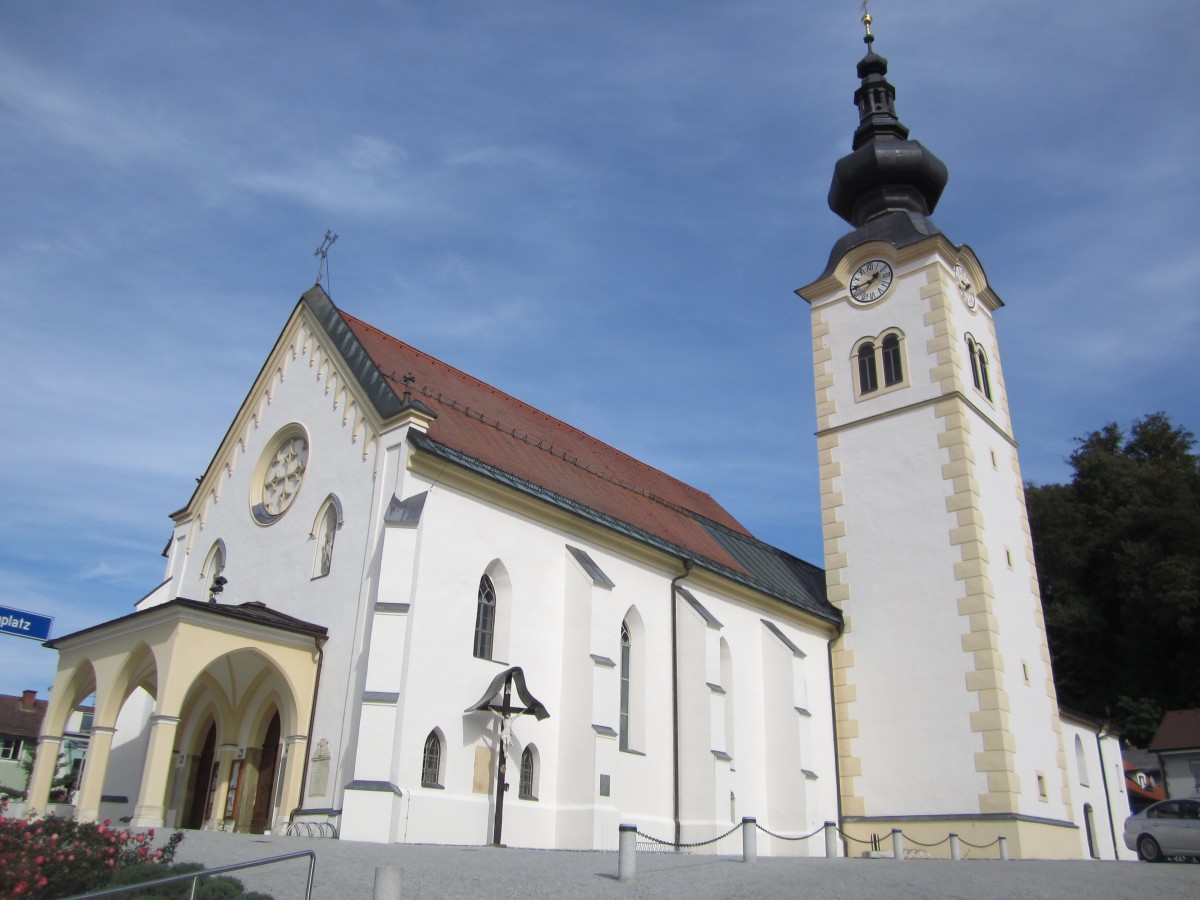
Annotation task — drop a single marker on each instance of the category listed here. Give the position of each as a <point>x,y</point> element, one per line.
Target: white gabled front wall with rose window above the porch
<point>275,565</point>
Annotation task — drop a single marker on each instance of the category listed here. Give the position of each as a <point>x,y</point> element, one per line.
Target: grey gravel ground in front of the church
<point>346,871</point>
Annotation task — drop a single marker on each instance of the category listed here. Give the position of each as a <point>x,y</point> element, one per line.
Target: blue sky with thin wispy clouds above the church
<point>601,208</point>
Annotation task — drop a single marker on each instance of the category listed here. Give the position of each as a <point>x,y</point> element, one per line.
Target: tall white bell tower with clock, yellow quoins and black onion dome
<point>947,717</point>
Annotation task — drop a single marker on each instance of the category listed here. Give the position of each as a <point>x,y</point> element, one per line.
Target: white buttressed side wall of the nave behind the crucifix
<point>556,611</point>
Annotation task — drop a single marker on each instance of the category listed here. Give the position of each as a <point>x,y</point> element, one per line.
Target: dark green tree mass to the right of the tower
<point>1119,560</point>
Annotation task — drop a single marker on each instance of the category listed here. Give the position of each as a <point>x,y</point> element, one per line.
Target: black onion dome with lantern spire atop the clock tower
<point>886,172</point>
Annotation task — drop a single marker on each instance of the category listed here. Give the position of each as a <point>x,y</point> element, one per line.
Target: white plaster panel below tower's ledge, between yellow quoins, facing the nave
<point>913,705</point>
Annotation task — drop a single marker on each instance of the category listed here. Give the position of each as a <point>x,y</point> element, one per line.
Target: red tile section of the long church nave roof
<point>500,430</point>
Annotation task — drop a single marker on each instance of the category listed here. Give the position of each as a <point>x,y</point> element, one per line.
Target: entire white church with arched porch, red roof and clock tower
<point>386,551</point>
